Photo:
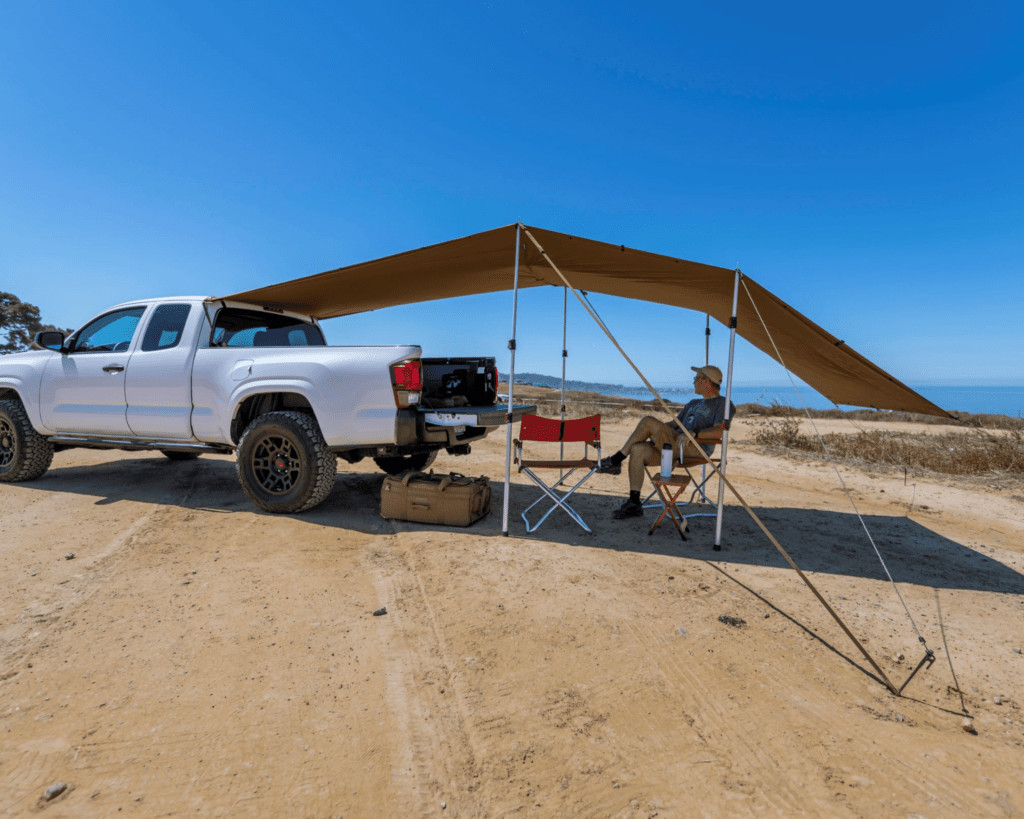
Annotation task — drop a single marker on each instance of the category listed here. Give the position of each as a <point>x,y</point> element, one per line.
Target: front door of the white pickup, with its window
<point>84,391</point>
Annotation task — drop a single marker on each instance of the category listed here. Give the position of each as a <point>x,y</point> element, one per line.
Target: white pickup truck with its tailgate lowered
<point>187,376</point>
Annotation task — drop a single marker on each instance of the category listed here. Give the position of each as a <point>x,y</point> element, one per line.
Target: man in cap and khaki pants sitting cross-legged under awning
<point>704,417</point>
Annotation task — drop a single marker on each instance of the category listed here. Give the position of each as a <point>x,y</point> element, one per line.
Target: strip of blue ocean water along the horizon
<point>996,401</point>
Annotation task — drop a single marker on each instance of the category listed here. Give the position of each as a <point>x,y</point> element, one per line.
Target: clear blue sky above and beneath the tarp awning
<point>864,163</point>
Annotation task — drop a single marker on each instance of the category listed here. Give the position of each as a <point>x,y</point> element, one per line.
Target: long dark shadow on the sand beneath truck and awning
<point>831,543</point>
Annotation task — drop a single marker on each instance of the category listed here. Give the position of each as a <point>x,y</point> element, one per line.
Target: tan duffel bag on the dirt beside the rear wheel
<point>425,498</point>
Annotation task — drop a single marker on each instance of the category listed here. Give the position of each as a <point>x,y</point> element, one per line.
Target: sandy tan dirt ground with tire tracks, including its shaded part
<point>198,658</point>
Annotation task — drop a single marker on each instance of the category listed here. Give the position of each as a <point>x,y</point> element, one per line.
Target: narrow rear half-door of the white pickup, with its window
<point>158,384</point>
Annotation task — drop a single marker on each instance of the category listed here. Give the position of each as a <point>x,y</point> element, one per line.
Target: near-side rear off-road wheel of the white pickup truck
<point>284,464</point>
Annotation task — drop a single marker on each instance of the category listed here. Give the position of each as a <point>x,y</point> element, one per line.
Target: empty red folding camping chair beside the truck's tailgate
<point>538,429</point>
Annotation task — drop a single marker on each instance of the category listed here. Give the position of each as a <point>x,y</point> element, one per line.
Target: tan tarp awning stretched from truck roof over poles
<point>485,264</point>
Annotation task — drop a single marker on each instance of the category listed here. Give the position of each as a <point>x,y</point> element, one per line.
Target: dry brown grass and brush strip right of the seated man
<point>973,452</point>
